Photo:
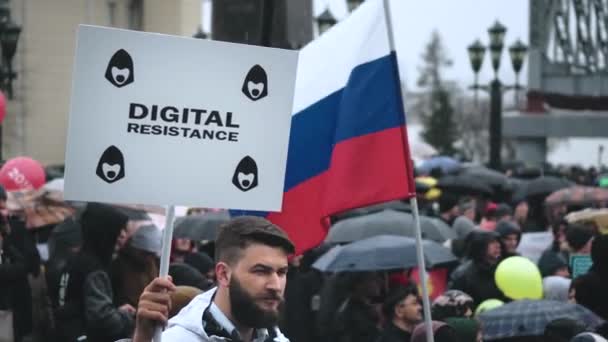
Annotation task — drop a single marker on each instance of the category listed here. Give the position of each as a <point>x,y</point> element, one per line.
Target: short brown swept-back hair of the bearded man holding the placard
<point>239,233</point>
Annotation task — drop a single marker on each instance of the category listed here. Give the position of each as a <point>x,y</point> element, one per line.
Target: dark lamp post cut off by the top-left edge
<point>9,35</point>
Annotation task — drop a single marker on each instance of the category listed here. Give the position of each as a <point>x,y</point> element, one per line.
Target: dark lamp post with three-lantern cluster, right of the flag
<point>496,88</point>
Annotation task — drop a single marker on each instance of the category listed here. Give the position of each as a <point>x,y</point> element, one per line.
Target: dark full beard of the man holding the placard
<point>247,312</point>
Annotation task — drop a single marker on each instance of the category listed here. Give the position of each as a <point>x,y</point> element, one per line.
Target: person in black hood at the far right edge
<point>591,288</point>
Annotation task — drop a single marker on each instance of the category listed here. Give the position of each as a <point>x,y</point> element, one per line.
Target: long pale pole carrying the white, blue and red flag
<point>413,201</point>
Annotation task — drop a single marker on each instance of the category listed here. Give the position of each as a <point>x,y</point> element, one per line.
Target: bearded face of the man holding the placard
<point>257,285</point>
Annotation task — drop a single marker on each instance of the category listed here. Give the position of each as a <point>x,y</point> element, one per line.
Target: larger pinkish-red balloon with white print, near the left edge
<point>22,173</point>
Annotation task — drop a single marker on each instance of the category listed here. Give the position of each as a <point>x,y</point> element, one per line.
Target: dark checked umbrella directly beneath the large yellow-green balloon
<point>530,317</point>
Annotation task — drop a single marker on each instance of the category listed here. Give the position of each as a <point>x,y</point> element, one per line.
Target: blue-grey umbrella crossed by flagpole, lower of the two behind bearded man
<point>384,252</point>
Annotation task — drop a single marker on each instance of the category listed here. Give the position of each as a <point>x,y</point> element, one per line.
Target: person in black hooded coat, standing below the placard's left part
<point>86,308</point>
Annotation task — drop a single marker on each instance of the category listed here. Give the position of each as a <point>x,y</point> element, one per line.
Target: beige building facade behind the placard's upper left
<point>37,116</point>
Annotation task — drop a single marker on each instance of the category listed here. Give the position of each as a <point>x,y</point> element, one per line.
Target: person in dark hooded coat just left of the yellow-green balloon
<point>476,277</point>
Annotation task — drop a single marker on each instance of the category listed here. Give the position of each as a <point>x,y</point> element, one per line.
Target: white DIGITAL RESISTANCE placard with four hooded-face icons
<point>158,119</point>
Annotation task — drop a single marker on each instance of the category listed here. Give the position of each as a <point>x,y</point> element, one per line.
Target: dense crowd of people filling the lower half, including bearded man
<point>99,281</point>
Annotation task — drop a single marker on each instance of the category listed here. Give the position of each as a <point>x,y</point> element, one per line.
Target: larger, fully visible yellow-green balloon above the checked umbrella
<point>519,278</point>
